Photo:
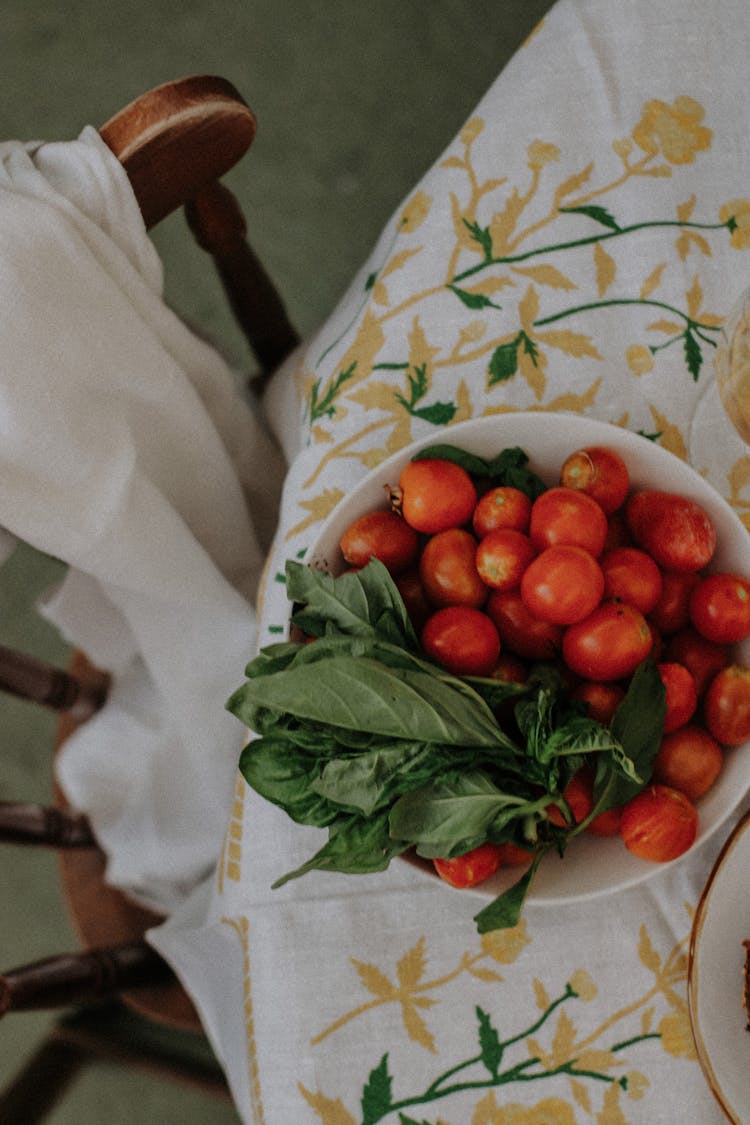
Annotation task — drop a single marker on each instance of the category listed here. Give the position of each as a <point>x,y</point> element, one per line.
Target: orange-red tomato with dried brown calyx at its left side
<point>437,496</point>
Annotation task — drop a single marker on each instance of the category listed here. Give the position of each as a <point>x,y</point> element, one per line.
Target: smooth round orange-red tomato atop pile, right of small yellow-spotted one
<point>563,586</point>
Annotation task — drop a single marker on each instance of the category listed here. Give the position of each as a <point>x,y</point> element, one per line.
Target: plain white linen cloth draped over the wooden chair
<point>129,453</point>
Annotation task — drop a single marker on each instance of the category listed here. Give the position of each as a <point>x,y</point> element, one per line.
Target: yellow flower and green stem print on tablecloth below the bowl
<point>579,1064</point>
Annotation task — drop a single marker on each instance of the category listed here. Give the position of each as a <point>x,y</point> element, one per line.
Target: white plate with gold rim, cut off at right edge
<point>716,976</point>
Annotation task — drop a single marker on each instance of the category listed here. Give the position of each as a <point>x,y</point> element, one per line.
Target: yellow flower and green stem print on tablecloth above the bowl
<point>522,311</point>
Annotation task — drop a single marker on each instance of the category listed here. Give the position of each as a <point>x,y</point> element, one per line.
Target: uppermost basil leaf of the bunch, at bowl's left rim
<point>359,604</point>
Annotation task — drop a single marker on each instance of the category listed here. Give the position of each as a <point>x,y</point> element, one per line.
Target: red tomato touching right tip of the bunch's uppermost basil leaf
<point>463,640</point>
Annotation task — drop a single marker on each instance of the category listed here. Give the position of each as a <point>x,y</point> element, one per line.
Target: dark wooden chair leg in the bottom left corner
<point>40,1085</point>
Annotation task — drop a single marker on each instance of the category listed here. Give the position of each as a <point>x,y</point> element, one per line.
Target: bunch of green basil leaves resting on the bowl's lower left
<point>362,735</point>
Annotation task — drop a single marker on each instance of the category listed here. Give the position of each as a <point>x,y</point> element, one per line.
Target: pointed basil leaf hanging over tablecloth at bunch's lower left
<point>357,845</point>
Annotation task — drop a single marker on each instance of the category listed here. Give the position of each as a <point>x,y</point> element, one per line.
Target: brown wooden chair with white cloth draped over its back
<point>175,142</point>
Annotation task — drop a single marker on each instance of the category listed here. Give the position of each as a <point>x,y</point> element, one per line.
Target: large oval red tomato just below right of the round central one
<point>609,644</point>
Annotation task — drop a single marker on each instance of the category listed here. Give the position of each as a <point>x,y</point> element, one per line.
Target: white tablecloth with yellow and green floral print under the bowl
<point>594,217</point>
